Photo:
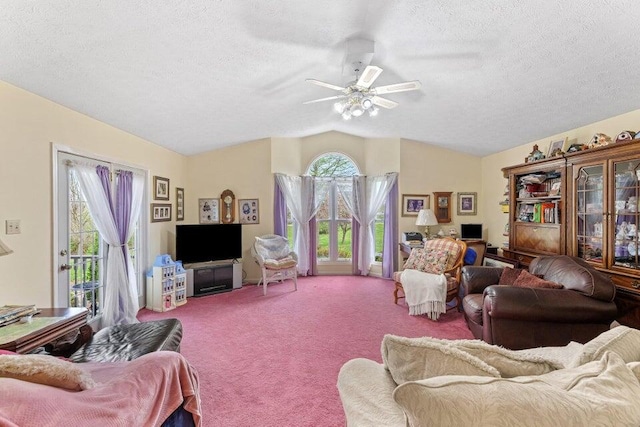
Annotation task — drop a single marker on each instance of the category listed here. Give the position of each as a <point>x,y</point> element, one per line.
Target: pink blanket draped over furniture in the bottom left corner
<point>142,392</point>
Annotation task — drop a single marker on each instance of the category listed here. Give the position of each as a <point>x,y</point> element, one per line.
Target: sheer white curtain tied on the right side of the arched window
<point>366,197</point>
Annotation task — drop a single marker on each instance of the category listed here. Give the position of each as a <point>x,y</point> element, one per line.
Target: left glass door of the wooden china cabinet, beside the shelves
<point>590,213</point>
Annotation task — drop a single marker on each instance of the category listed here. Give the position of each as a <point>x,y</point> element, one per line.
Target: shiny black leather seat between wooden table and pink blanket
<point>127,342</point>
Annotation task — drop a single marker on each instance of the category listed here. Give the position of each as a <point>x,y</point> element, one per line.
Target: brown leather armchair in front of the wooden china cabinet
<point>518,318</point>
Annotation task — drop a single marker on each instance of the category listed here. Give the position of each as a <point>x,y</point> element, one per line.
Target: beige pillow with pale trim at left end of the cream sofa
<point>412,359</point>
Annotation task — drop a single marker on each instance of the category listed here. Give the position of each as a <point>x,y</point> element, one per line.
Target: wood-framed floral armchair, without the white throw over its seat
<point>423,259</point>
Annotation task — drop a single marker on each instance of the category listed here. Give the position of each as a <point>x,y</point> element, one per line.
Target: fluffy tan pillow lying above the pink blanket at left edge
<point>47,370</point>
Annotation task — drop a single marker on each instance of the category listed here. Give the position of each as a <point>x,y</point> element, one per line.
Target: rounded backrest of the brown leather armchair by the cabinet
<point>574,274</point>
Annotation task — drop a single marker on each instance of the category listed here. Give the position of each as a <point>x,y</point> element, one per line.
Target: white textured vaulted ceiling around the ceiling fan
<point>201,74</point>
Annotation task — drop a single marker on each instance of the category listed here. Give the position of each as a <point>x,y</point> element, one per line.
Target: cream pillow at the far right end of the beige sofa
<point>622,340</point>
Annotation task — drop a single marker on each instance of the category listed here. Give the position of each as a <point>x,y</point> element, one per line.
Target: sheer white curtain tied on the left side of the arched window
<point>303,200</point>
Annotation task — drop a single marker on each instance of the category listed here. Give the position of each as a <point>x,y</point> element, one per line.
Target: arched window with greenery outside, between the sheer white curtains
<point>333,219</point>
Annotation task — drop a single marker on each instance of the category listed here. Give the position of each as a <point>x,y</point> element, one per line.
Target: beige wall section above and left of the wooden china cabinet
<point>493,182</point>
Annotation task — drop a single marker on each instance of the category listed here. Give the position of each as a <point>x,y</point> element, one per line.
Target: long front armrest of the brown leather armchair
<point>545,305</point>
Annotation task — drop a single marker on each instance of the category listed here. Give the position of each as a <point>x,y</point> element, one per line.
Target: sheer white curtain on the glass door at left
<point>117,292</point>
